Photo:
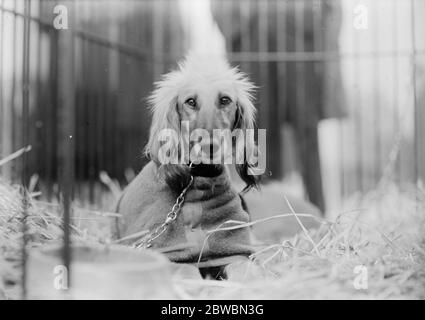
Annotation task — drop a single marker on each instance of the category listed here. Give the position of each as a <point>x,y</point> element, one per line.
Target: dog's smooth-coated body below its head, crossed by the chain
<point>210,202</point>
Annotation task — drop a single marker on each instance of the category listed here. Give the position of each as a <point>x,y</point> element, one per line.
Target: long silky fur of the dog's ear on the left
<point>164,108</point>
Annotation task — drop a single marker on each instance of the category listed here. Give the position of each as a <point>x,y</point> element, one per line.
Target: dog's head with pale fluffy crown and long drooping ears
<point>203,96</point>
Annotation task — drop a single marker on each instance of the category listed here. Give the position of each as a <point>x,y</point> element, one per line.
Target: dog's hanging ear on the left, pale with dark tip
<point>164,137</point>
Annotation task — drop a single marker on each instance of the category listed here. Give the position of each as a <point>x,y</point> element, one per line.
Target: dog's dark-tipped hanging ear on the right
<point>244,119</point>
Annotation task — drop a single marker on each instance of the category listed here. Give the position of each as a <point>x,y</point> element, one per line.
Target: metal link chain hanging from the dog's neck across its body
<point>147,240</point>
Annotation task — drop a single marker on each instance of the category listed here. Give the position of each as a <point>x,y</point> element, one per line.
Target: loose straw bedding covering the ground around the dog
<point>382,231</point>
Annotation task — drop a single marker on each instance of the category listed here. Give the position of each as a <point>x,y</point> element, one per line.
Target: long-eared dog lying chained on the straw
<point>205,94</point>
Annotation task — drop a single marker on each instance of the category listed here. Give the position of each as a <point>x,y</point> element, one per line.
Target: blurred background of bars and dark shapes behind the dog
<point>341,87</point>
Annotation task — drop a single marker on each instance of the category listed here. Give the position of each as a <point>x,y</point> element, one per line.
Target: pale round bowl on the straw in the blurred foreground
<point>99,272</point>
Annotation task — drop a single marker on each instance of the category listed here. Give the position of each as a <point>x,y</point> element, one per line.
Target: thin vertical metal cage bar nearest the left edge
<point>25,140</point>
